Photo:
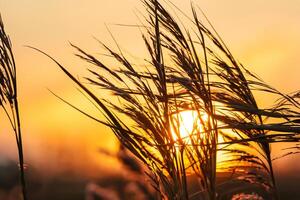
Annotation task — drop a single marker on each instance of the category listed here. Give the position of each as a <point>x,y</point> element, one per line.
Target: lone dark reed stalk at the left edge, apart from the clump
<point>9,97</point>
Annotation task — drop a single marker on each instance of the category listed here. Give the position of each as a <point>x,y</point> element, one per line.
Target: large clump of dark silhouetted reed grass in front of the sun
<point>202,76</point>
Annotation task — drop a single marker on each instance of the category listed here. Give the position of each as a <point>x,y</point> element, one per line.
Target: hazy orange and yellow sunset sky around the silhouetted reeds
<point>263,35</point>
